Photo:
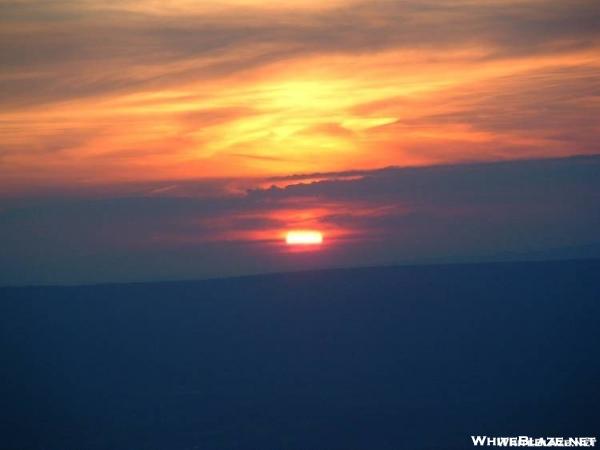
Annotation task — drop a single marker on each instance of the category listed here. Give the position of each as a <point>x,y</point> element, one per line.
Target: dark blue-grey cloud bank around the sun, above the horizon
<point>394,215</point>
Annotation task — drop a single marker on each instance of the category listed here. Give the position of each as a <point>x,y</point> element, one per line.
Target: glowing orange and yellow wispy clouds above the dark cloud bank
<point>97,92</point>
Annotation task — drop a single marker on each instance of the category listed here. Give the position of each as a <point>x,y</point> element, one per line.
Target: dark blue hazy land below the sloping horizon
<point>407,357</point>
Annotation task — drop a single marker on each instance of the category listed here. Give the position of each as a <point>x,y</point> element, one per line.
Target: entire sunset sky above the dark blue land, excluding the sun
<point>144,140</point>
